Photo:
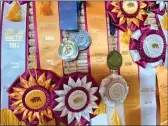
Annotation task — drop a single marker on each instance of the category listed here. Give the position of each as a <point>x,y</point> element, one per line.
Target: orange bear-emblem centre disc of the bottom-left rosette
<point>35,99</point>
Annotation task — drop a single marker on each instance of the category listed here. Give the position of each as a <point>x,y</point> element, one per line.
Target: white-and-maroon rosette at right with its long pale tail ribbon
<point>148,49</point>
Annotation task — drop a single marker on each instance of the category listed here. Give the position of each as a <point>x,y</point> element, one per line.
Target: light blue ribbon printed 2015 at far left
<point>13,51</point>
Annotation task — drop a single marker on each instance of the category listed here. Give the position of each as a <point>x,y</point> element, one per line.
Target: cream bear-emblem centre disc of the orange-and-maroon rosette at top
<point>130,7</point>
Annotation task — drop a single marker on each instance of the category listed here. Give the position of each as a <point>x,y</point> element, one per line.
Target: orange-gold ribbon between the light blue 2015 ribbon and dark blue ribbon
<point>47,18</point>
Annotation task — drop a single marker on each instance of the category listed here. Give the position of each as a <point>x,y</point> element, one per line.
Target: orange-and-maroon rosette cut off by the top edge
<point>127,14</point>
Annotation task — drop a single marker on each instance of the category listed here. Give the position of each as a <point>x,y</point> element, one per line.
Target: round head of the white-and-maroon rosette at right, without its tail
<point>148,47</point>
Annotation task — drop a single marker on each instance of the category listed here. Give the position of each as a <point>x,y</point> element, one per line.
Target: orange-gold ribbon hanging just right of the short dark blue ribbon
<point>97,28</point>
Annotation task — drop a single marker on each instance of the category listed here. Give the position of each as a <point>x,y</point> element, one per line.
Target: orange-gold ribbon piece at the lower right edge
<point>162,75</point>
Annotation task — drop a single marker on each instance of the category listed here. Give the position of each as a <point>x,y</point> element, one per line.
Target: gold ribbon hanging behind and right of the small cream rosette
<point>129,70</point>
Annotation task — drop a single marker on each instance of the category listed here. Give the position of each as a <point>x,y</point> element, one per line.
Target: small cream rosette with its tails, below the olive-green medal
<point>113,90</point>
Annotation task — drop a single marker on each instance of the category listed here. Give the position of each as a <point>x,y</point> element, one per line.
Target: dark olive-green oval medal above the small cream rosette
<point>114,60</point>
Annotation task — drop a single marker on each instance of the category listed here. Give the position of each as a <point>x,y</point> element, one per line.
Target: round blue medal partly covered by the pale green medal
<point>82,38</point>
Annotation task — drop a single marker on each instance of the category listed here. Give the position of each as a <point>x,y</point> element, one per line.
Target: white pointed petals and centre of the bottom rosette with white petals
<point>77,100</point>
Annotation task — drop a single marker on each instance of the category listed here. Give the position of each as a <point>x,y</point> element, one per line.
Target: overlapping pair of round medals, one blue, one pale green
<point>69,50</point>
